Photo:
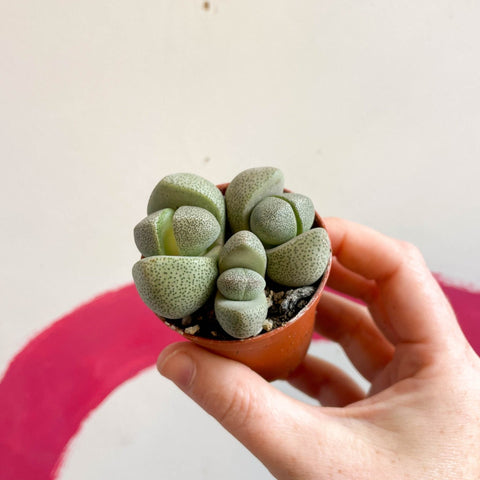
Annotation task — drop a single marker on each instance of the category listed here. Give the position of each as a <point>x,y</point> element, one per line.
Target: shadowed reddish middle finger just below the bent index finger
<point>352,327</point>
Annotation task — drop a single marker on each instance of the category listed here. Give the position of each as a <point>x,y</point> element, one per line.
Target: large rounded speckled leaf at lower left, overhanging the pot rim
<point>174,287</point>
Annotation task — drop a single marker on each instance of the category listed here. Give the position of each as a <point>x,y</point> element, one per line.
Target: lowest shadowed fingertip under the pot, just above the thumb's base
<point>323,381</point>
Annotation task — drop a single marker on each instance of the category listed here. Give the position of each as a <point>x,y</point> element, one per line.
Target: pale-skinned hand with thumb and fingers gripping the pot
<point>419,420</point>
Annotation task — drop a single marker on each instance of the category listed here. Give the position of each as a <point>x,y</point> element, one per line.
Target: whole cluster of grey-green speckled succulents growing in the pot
<point>198,244</point>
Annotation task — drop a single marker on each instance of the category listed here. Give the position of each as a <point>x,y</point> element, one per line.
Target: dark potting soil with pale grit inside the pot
<point>284,304</point>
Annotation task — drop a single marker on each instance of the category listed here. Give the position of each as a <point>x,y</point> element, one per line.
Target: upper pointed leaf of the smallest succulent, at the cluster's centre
<point>245,250</point>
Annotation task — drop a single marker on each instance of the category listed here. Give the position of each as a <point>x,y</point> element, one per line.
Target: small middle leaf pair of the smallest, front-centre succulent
<point>240,284</point>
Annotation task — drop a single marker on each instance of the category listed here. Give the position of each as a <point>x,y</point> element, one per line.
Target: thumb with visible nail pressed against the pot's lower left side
<point>269,423</point>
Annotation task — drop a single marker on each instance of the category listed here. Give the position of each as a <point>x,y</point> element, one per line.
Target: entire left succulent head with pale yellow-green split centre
<point>180,240</point>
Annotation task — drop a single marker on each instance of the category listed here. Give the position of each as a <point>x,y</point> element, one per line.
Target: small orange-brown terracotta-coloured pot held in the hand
<point>275,354</point>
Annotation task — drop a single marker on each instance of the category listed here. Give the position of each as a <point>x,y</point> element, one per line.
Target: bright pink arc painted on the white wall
<point>66,371</point>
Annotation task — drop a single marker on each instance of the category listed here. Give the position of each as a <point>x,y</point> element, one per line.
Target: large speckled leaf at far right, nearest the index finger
<point>302,260</point>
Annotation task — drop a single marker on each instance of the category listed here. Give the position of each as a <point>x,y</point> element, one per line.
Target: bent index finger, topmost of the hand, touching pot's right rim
<point>408,305</point>
